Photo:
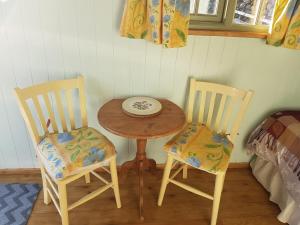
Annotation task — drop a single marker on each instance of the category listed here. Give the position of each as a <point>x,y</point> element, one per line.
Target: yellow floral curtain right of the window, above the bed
<point>285,29</point>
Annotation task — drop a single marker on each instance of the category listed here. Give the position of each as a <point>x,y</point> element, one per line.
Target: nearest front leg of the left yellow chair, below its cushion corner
<point>63,202</point>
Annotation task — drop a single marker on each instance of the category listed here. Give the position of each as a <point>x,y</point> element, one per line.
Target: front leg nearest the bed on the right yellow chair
<point>217,197</point>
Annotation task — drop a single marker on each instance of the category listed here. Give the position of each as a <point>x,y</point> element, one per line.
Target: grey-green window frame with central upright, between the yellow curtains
<point>227,20</point>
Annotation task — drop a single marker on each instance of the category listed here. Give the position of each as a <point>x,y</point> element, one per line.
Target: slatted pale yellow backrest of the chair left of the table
<point>52,103</point>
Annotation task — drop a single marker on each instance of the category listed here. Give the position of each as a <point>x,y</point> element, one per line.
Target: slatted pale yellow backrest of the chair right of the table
<point>219,107</point>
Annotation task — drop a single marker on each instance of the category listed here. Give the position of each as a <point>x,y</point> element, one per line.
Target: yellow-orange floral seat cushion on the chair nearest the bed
<point>201,148</point>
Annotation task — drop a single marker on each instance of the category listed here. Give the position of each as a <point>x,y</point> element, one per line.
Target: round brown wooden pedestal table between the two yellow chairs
<point>169,121</point>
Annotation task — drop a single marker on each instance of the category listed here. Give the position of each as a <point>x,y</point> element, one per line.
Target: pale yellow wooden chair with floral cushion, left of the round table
<point>65,153</point>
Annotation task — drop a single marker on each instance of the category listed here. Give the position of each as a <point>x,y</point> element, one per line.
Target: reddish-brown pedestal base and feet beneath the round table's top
<point>140,163</point>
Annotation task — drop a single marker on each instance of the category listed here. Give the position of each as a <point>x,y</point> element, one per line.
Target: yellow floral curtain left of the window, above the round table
<point>163,22</point>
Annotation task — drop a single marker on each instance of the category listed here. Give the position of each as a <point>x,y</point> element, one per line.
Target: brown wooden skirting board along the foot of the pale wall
<point>25,171</point>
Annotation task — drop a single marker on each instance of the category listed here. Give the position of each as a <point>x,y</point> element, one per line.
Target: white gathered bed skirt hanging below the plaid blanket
<point>269,176</point>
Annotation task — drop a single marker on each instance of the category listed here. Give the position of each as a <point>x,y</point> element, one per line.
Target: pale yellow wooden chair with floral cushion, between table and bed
<point>219,112</point>
